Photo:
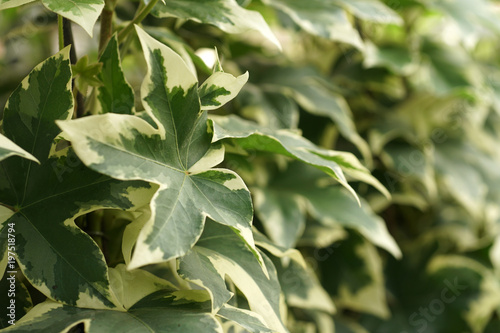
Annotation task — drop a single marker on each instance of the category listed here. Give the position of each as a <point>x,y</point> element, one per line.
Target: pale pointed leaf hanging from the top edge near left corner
<point>82,12</point>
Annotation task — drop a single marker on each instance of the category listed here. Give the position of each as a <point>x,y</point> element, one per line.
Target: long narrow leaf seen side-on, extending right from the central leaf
<point>249,135</point>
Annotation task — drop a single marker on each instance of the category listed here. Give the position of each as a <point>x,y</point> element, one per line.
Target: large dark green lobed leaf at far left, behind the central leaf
<point>52,252</point>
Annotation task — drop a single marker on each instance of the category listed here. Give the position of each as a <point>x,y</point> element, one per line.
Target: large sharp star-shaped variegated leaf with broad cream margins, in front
<point>177,155</point>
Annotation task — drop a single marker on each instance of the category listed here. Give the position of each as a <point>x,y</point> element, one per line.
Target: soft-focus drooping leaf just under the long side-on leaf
<point>301,190</point>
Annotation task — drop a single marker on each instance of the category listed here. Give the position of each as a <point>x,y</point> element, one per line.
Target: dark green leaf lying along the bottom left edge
<point>160,312</point>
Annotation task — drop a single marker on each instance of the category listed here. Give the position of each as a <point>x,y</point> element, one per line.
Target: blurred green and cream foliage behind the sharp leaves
<point>412,88</point>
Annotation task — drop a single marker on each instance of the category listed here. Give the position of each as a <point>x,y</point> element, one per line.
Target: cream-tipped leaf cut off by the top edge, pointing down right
<point>226,15</point>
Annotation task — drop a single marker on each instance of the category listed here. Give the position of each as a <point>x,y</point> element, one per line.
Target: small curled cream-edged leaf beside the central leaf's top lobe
<point>219,89</point>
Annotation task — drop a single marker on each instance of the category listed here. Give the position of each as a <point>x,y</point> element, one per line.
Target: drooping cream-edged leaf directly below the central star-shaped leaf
<point>220,253</point>
